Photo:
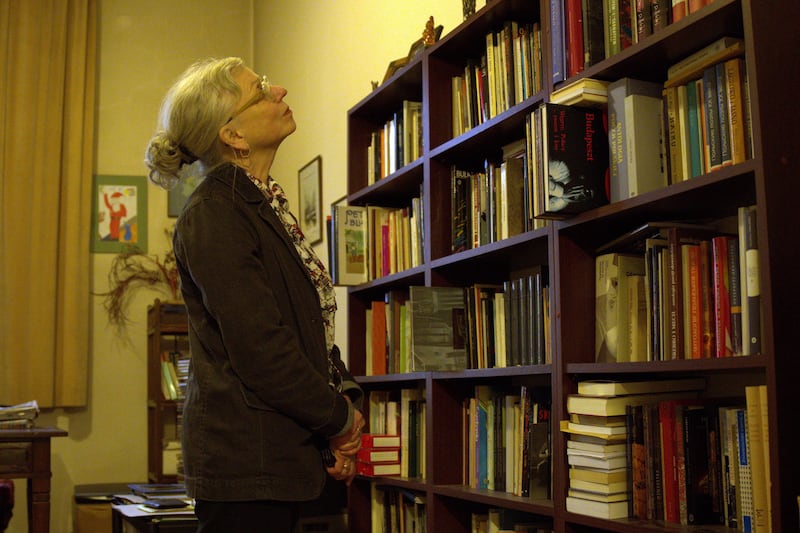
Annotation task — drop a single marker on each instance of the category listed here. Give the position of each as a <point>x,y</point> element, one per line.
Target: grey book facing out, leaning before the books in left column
<point>437,328</point>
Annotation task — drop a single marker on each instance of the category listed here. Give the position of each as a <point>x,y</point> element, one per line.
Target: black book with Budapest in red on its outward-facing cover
<point>575,155</point>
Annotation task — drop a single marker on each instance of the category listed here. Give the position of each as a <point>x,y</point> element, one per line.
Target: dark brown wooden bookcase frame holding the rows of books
<point>768,180</point>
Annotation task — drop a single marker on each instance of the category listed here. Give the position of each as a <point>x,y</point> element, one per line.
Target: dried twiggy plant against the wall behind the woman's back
<point>132,269</point>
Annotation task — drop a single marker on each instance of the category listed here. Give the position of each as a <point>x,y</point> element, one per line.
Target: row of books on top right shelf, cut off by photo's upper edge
<point>587,31</point>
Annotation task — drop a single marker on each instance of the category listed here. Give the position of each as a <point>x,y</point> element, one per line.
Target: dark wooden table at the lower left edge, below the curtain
<point>25,453</point>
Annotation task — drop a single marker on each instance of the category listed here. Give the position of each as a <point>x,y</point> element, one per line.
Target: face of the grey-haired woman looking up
<point>261,115</point>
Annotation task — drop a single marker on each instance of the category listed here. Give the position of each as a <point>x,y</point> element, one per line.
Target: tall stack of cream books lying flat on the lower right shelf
<point>599,448</point>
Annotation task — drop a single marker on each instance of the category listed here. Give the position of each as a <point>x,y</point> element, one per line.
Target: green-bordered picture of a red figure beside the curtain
<point>119,213</point>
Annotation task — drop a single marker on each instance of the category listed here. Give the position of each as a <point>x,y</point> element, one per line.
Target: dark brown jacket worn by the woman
<point>258,406</point>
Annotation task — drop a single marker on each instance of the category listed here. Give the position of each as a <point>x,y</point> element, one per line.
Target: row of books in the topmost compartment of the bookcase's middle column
<point>508,71</point>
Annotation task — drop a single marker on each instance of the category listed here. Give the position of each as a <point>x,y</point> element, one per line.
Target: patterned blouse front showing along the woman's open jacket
<point>319,275</point>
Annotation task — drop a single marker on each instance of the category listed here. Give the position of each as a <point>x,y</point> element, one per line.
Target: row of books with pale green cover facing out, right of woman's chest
<point>369,242</point>
